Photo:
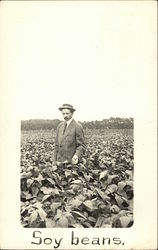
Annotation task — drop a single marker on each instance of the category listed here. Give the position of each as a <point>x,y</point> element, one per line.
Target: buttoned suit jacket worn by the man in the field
<point>70,143</point>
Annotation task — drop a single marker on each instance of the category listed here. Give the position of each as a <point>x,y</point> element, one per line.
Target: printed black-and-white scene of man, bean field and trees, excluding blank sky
<point>77,174</point>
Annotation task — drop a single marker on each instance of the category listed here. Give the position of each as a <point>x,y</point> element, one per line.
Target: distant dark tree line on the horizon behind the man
<point>111,123</point>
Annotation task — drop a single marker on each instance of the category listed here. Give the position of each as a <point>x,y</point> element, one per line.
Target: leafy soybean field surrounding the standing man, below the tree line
<point>98,192</point>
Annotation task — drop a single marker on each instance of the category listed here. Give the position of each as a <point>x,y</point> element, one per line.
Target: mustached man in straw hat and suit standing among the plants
<point>69,141</point>
